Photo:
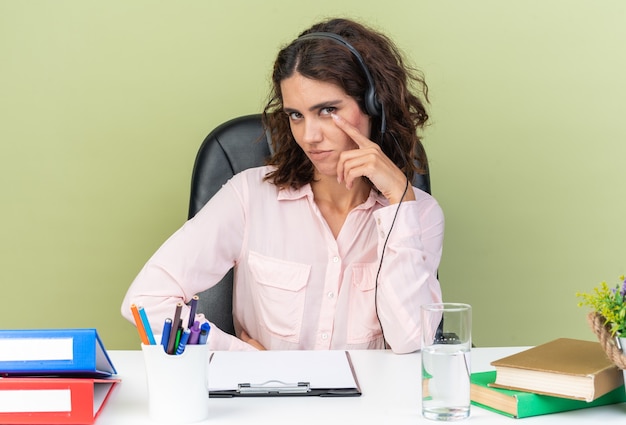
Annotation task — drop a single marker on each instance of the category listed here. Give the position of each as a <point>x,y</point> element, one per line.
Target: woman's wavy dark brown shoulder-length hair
<point>326,60</point>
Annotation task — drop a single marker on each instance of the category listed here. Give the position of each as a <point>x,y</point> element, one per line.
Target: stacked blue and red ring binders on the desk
<point>53,376</point>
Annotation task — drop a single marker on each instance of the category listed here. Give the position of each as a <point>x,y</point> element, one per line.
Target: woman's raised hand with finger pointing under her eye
<point>370,161</point>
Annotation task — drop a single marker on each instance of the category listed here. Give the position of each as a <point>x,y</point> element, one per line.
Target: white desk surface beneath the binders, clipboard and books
<point>391,396</point>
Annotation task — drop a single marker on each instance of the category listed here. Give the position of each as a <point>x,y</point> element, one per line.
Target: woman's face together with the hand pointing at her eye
<point>332,130</point>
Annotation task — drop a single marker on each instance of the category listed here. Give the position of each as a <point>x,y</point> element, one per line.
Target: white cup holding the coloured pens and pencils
<point>178,386</point>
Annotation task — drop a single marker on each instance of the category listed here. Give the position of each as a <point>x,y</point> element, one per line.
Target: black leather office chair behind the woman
<point>232,147</point>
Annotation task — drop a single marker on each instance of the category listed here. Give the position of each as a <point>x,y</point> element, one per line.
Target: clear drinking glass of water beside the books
<point>446,345</point>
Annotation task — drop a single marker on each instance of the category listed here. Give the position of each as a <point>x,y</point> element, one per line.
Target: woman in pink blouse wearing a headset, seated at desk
<point>332,247</point>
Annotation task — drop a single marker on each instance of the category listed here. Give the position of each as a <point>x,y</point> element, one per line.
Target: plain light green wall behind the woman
<point>103,105</point>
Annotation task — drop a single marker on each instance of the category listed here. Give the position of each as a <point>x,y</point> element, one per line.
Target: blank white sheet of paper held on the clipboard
<point>321,369</point>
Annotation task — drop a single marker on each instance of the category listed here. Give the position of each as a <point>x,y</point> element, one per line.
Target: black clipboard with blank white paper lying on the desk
<point>282,373</point>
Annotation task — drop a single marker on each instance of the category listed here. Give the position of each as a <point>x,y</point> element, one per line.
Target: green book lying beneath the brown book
<point>520,404</point>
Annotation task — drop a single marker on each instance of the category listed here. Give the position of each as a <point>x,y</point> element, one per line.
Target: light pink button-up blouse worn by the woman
<point>296,286</point>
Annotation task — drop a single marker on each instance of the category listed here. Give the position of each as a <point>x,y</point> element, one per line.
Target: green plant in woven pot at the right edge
<point>607,319</point>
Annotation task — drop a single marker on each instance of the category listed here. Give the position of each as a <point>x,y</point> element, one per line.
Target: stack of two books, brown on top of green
<point>560,375</point>
